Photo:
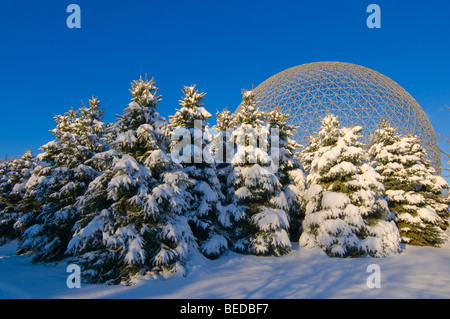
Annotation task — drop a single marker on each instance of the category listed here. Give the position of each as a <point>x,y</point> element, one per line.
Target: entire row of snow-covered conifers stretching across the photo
<point>132,196</point>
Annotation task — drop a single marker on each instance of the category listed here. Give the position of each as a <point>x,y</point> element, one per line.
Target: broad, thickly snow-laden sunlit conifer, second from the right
<point>346,214</point>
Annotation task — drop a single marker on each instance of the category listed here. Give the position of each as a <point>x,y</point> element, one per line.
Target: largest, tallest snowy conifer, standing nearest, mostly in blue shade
<point>133,213</point>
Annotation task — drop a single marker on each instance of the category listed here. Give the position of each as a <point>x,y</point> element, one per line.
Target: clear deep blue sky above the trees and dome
<point>222,46</point>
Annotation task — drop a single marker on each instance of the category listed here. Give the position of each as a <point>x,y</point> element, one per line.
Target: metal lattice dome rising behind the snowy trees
<point>356,94</point>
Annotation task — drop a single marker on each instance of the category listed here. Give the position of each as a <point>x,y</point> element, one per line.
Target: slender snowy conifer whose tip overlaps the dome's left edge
<point>260,223</point>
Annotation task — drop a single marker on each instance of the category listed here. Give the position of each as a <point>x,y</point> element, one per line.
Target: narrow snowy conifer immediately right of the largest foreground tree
<point>190,144</point>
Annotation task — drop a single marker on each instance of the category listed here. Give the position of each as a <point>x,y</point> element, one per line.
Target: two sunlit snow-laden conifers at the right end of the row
<point>366,200</point>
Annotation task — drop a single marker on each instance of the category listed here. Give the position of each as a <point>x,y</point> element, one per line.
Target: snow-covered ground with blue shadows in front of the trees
<point>418,272</point>
